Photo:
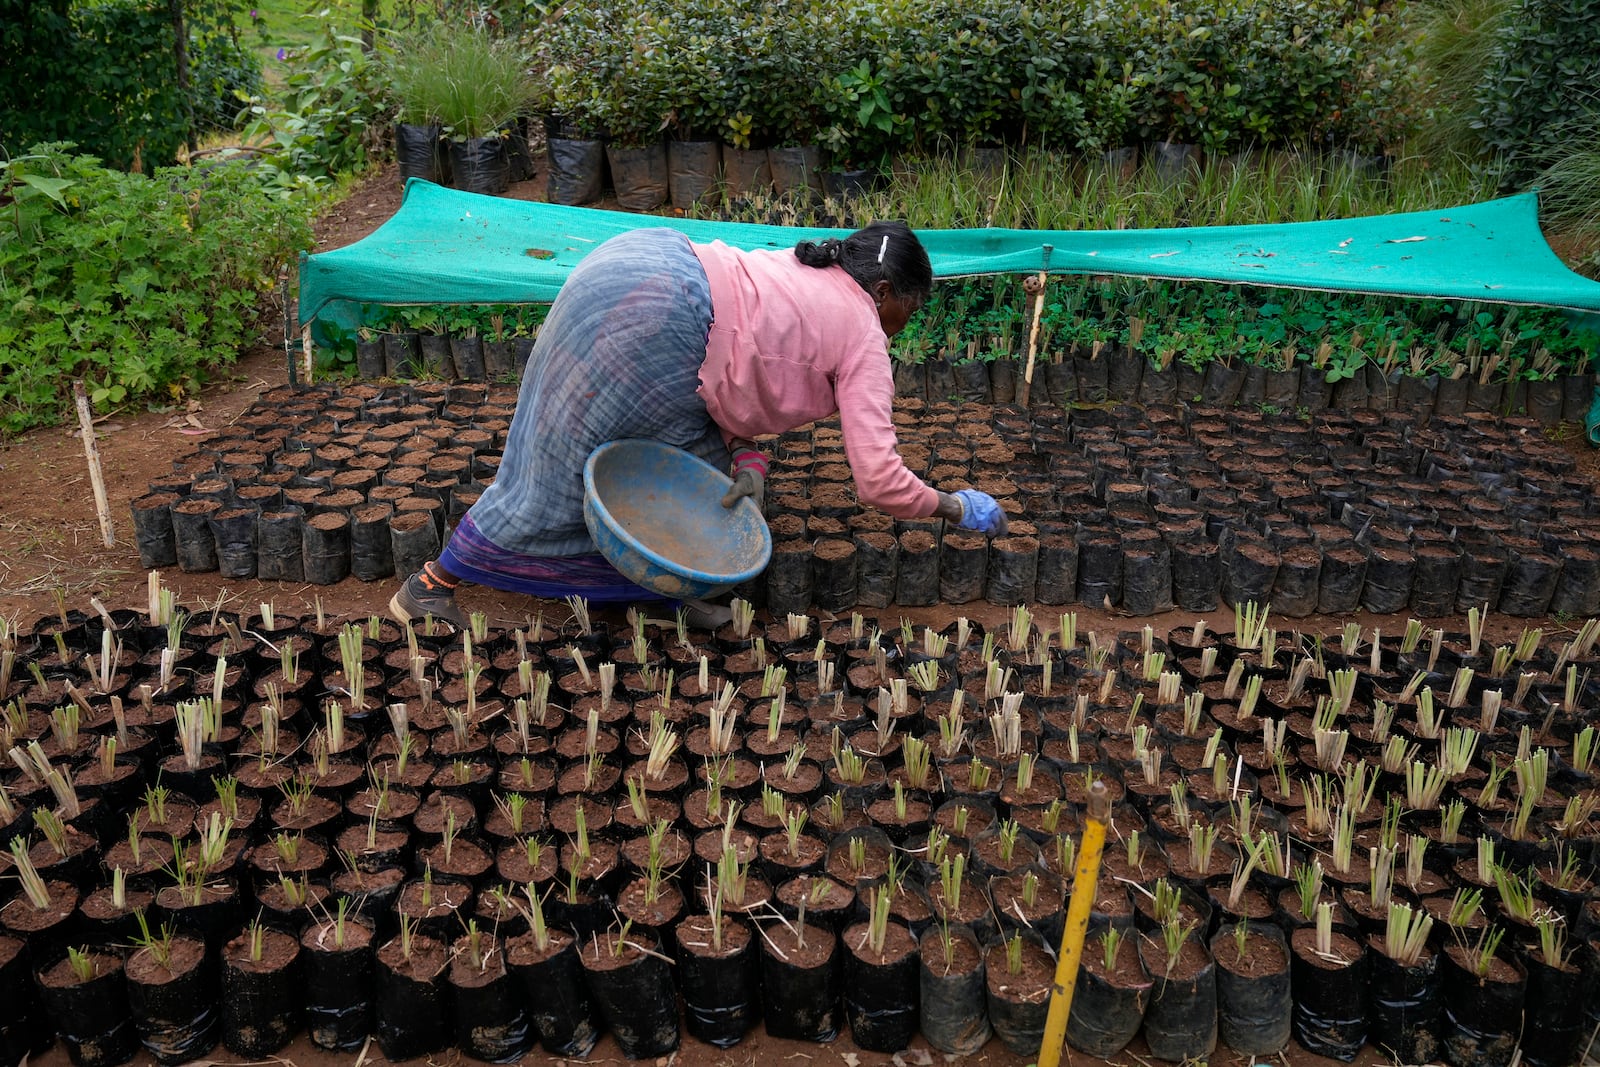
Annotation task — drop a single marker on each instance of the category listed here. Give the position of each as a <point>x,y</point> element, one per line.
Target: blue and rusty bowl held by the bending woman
<point>657,514</point>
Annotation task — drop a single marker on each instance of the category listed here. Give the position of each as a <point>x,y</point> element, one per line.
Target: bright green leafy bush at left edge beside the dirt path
<point>138,286</point>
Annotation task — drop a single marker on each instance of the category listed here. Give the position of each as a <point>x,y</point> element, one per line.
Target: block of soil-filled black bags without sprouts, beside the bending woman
<point>1134,510</point>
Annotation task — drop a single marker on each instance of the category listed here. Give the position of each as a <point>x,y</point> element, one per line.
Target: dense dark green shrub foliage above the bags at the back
<point>873,78</point>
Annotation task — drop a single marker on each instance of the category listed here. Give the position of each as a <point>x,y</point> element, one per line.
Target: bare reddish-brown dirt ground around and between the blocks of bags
<point>50,541</point>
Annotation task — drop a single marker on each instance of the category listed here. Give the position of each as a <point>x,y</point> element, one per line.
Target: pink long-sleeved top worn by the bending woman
<point>793,345</point>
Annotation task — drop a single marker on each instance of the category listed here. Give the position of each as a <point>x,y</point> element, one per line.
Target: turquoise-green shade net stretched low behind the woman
<point>447,247</point>
